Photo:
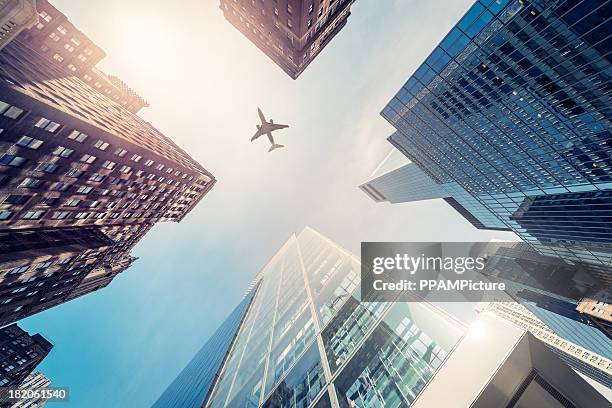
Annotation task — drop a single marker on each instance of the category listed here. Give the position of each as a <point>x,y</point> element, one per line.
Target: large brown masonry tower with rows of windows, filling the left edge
<point>82,180</point>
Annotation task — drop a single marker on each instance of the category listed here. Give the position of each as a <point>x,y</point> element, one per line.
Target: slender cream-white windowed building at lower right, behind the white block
<point>585,361</point>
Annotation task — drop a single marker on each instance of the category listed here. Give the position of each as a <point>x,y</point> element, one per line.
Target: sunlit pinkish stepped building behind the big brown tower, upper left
<point>58,40</point>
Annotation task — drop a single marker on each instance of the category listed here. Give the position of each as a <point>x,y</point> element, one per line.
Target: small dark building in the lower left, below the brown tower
<point>20,353</point>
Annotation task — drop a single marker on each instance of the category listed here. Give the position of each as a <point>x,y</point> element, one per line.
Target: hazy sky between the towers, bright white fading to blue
<point>123,345</point>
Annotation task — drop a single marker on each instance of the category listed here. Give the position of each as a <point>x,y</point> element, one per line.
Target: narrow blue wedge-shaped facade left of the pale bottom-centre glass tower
<point>192,386</point>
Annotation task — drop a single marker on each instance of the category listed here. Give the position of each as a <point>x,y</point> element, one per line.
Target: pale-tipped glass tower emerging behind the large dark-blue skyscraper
<point>398,180</point>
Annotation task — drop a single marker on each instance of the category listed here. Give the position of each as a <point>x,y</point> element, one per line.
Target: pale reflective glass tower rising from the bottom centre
<point>309,341</point>
